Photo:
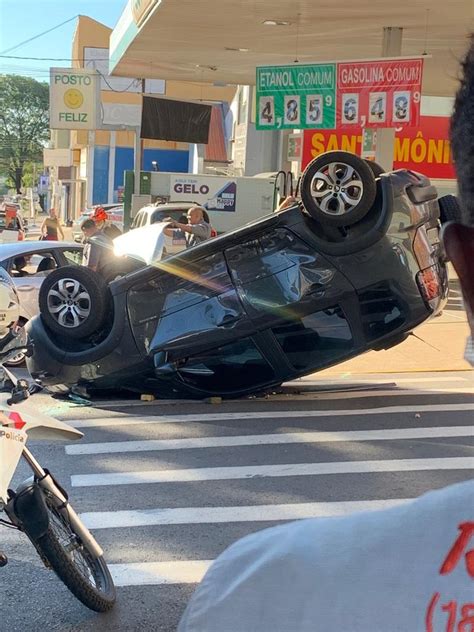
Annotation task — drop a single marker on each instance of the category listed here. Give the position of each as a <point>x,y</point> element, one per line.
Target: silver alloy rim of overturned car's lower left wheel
<point>69,303</point>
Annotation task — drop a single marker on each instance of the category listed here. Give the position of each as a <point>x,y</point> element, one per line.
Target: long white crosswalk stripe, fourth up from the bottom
<point>269,439</point>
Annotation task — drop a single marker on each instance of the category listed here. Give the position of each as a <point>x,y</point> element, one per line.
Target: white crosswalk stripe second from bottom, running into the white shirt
<point>214,515</point>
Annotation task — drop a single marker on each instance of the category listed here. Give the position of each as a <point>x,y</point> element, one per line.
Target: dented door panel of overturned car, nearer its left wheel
<point>189,308</point>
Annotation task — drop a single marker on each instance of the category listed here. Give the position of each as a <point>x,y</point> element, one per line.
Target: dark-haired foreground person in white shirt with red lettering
<point>408,568</point>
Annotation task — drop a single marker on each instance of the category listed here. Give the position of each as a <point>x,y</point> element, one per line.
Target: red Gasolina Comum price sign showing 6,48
<point>379,93</point>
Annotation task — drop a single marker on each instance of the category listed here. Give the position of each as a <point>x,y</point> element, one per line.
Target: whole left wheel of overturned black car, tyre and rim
<point>73,301</point>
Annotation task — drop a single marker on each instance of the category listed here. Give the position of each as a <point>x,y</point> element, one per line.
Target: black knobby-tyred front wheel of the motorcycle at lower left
<point>86,577</point>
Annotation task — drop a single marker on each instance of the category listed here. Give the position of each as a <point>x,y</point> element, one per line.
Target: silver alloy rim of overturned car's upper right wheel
<point>337,188</point>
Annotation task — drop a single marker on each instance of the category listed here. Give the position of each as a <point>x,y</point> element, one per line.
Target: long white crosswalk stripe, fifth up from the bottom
<point>289,414</point>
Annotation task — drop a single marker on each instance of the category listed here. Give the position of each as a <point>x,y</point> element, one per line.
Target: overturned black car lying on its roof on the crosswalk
<point>357,265</point>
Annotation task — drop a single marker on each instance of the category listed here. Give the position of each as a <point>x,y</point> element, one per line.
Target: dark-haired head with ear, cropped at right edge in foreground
<point>458,239</point>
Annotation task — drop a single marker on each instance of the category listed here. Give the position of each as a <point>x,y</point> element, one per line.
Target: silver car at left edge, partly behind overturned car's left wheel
<point>28,263</point>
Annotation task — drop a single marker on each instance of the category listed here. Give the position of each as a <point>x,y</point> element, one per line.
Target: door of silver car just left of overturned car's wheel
<point>28,278</point>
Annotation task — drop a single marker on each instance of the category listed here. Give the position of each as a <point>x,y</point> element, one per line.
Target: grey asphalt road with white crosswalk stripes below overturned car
<point>167,486</point>
